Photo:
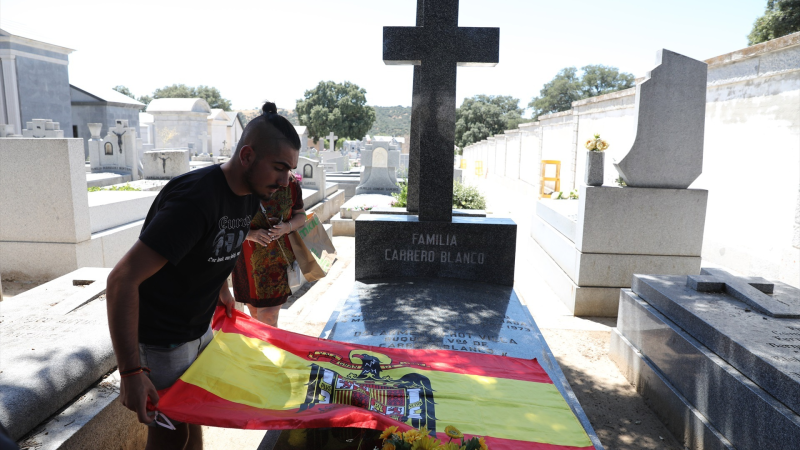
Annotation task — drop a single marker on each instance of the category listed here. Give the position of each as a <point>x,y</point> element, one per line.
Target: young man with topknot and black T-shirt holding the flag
<point>162,294</point>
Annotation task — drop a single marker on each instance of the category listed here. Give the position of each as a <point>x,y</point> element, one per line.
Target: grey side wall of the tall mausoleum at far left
<point>44,91</point>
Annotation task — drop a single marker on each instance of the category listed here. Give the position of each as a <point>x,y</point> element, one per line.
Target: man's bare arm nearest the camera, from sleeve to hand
<point>122,302</point>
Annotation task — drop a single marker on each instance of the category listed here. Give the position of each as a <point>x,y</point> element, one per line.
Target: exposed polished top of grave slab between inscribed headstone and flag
<point>443,314</point>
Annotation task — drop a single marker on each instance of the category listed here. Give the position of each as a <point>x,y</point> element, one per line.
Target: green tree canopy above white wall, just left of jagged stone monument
<point>567,87</point>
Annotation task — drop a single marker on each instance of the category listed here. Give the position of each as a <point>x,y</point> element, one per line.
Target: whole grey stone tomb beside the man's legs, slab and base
<point>56,347</point>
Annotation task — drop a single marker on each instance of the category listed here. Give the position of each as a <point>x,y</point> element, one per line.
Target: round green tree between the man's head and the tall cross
<point>341,108</point>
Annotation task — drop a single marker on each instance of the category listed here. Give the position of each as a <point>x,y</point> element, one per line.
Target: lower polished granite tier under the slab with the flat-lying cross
<point>738,408</point>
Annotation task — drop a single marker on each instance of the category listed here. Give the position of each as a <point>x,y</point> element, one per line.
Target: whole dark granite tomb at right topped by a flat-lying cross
<point>717,371</point>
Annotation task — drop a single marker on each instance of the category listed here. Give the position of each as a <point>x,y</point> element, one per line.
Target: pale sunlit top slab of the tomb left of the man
<point>52,353</point>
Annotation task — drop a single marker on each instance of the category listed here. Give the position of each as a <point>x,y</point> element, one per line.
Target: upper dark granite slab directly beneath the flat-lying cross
<point>765,349</point>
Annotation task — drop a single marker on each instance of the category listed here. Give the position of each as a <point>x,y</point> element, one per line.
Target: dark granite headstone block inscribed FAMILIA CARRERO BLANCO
<point>471,248</point>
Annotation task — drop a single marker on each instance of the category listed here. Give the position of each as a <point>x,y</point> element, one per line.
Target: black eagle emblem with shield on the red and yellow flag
<point>407,399</point>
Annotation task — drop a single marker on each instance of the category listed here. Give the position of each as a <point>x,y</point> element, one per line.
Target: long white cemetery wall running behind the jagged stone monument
<point>751,155</point>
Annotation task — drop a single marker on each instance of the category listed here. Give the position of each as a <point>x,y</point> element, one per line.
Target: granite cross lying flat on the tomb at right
<point>752,291</point>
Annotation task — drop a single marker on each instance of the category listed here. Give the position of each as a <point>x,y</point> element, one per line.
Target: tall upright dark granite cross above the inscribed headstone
<point>438,45</point>
